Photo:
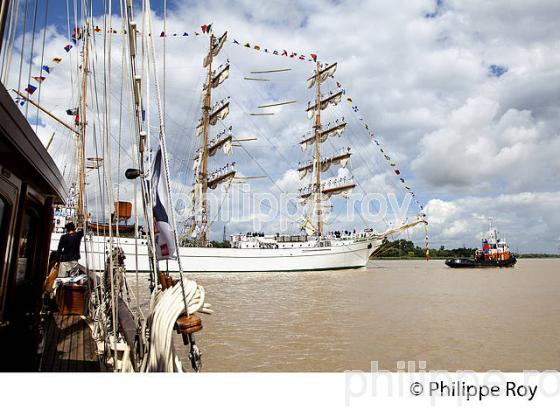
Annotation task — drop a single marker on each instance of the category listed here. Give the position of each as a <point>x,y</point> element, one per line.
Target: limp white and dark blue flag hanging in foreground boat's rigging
<point>164,233</point>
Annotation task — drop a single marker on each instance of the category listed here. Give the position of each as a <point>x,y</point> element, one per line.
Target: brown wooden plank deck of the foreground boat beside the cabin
<point>68,345</point>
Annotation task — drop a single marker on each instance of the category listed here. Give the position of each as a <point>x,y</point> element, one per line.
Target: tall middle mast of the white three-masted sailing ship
<point>203,174</point>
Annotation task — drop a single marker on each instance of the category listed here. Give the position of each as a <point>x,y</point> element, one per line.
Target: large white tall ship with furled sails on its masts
<point>313,248</point>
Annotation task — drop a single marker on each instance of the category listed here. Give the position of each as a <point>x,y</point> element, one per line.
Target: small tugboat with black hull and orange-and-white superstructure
<point>494,253</point>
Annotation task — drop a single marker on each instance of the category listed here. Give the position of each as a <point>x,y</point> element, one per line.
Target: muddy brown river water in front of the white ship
<point>391,311</point>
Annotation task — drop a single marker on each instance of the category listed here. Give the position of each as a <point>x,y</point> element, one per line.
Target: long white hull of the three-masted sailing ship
<point>340,255</point>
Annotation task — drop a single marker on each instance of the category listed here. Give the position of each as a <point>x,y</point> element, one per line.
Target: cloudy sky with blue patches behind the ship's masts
<point>464,95</point>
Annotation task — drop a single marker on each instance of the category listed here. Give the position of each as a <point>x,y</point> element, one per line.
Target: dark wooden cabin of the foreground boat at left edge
<point>30,186</point>
